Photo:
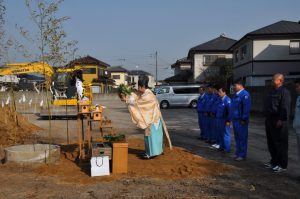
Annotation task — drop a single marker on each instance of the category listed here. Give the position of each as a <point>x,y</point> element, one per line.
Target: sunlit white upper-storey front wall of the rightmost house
<point>273,50</point>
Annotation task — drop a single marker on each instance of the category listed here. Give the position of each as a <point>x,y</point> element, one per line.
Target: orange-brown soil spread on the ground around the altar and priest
<point>173,165</point>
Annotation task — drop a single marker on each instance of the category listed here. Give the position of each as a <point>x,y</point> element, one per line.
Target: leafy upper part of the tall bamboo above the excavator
<point>53,44</point>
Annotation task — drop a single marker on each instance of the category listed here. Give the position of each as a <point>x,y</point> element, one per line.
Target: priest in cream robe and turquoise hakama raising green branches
<point>145,113</point>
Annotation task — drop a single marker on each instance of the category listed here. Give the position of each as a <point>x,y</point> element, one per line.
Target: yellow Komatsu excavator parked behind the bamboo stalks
<point>65,85</point>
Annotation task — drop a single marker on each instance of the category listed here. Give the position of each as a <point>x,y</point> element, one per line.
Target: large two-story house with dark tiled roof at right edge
<point>272,49</point>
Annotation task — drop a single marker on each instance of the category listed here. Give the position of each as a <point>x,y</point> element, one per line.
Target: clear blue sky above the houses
<point>114,30</point>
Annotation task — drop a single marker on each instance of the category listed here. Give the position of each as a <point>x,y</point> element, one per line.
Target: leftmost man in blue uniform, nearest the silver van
<point>200,110</point>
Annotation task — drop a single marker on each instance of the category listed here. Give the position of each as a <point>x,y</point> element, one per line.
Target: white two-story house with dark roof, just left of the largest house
<point>207,58</point>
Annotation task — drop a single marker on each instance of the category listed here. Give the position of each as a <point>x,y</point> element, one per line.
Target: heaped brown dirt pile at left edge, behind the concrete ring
<point>14,128</point>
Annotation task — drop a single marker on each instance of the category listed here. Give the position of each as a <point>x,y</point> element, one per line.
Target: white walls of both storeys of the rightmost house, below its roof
<point>269,57</point>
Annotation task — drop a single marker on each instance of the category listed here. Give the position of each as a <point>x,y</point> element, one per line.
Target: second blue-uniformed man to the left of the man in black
<point>223,121</point>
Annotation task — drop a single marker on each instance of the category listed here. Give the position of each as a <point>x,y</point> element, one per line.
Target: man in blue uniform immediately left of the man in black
<point>240,110</point>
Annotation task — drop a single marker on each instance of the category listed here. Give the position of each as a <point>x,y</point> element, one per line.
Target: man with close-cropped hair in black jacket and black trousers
<point>277,110</point>
